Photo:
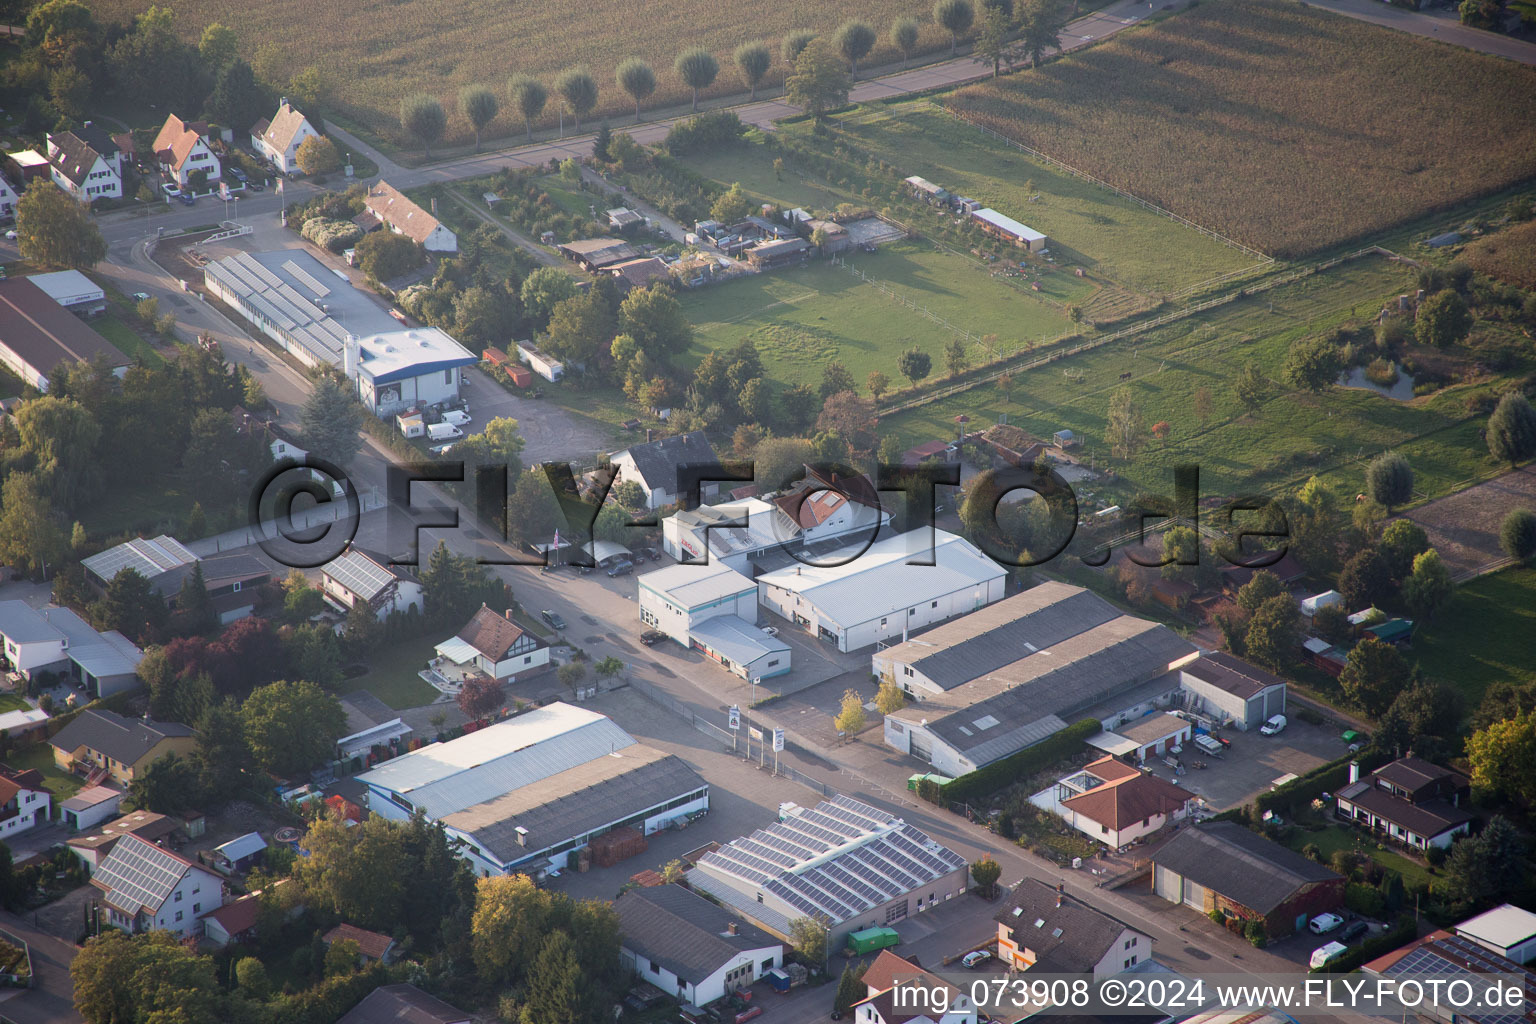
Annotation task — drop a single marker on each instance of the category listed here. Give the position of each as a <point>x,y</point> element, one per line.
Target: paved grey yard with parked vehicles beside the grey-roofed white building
<point>1256,762</point>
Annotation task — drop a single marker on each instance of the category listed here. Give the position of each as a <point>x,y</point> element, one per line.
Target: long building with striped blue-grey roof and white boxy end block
<point>323,322</point>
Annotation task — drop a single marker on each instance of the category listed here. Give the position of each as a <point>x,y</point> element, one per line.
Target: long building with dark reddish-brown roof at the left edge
<point>38,335</point>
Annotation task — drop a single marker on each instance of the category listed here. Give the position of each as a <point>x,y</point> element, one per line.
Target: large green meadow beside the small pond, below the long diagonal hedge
<point>1293,437</point>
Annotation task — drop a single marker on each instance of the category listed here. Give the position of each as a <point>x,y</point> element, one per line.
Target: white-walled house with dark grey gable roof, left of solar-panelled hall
<point>692,948</point>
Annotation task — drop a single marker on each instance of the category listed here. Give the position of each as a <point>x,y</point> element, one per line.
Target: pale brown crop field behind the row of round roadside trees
<point>372,55</point>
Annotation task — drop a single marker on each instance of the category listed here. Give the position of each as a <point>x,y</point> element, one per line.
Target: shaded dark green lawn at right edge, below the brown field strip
<point>1485,636</point>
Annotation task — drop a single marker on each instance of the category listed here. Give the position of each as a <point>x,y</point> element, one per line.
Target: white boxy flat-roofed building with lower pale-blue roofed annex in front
<point>712,609</point>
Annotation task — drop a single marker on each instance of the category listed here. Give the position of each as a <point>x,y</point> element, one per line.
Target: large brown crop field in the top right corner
<point>1286,128</point>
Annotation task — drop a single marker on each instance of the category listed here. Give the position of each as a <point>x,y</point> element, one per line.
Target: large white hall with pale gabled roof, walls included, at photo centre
<point>864,595</point>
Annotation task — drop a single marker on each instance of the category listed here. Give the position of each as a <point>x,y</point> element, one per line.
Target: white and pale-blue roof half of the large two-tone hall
<point>442,779</point>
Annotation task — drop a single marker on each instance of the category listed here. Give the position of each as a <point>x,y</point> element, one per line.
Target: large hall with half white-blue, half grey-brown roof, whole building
<point>525,794</point>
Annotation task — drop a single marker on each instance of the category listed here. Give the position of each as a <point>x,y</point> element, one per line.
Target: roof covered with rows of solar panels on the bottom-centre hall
<point>870,859</point>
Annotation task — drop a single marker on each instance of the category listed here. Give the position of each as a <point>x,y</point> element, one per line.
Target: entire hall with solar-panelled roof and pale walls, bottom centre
<point>842,860</point>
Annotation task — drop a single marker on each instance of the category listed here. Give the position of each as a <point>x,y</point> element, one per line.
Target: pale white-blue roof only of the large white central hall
<point>856,586</point>
